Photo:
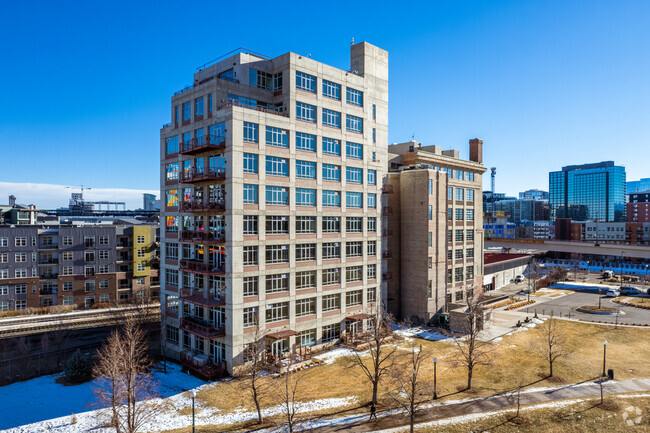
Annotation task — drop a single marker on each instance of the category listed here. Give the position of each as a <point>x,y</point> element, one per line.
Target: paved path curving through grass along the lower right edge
<point>435,411</point>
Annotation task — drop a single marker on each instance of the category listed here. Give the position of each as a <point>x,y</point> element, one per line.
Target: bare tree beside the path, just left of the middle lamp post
<point>408,391</point>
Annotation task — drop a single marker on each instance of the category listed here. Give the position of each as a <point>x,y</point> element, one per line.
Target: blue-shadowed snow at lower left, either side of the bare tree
<point>42,398</point>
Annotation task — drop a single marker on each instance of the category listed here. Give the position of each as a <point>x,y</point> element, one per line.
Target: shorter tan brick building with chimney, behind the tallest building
<point>435,228</point>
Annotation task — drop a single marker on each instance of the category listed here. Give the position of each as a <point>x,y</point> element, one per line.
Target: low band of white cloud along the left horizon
<point>49,196</point>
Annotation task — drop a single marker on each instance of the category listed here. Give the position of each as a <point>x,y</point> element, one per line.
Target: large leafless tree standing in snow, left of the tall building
<point>127,387</point>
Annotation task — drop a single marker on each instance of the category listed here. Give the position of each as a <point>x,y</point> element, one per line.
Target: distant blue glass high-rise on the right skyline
<point>588,192</point>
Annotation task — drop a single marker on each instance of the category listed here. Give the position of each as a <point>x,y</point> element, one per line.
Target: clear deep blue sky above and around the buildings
<point>87,85</point>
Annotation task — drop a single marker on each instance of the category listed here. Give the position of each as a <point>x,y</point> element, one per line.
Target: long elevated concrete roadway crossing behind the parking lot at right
<point>617,250</point>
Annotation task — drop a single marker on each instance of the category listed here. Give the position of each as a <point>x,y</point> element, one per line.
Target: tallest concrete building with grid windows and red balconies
<point>271,174</point>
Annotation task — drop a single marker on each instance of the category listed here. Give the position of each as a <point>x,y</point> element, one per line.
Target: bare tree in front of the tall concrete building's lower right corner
<point>381,355</point>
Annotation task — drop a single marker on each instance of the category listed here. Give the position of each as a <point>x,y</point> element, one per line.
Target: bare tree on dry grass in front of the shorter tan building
<point>472,352</point>
